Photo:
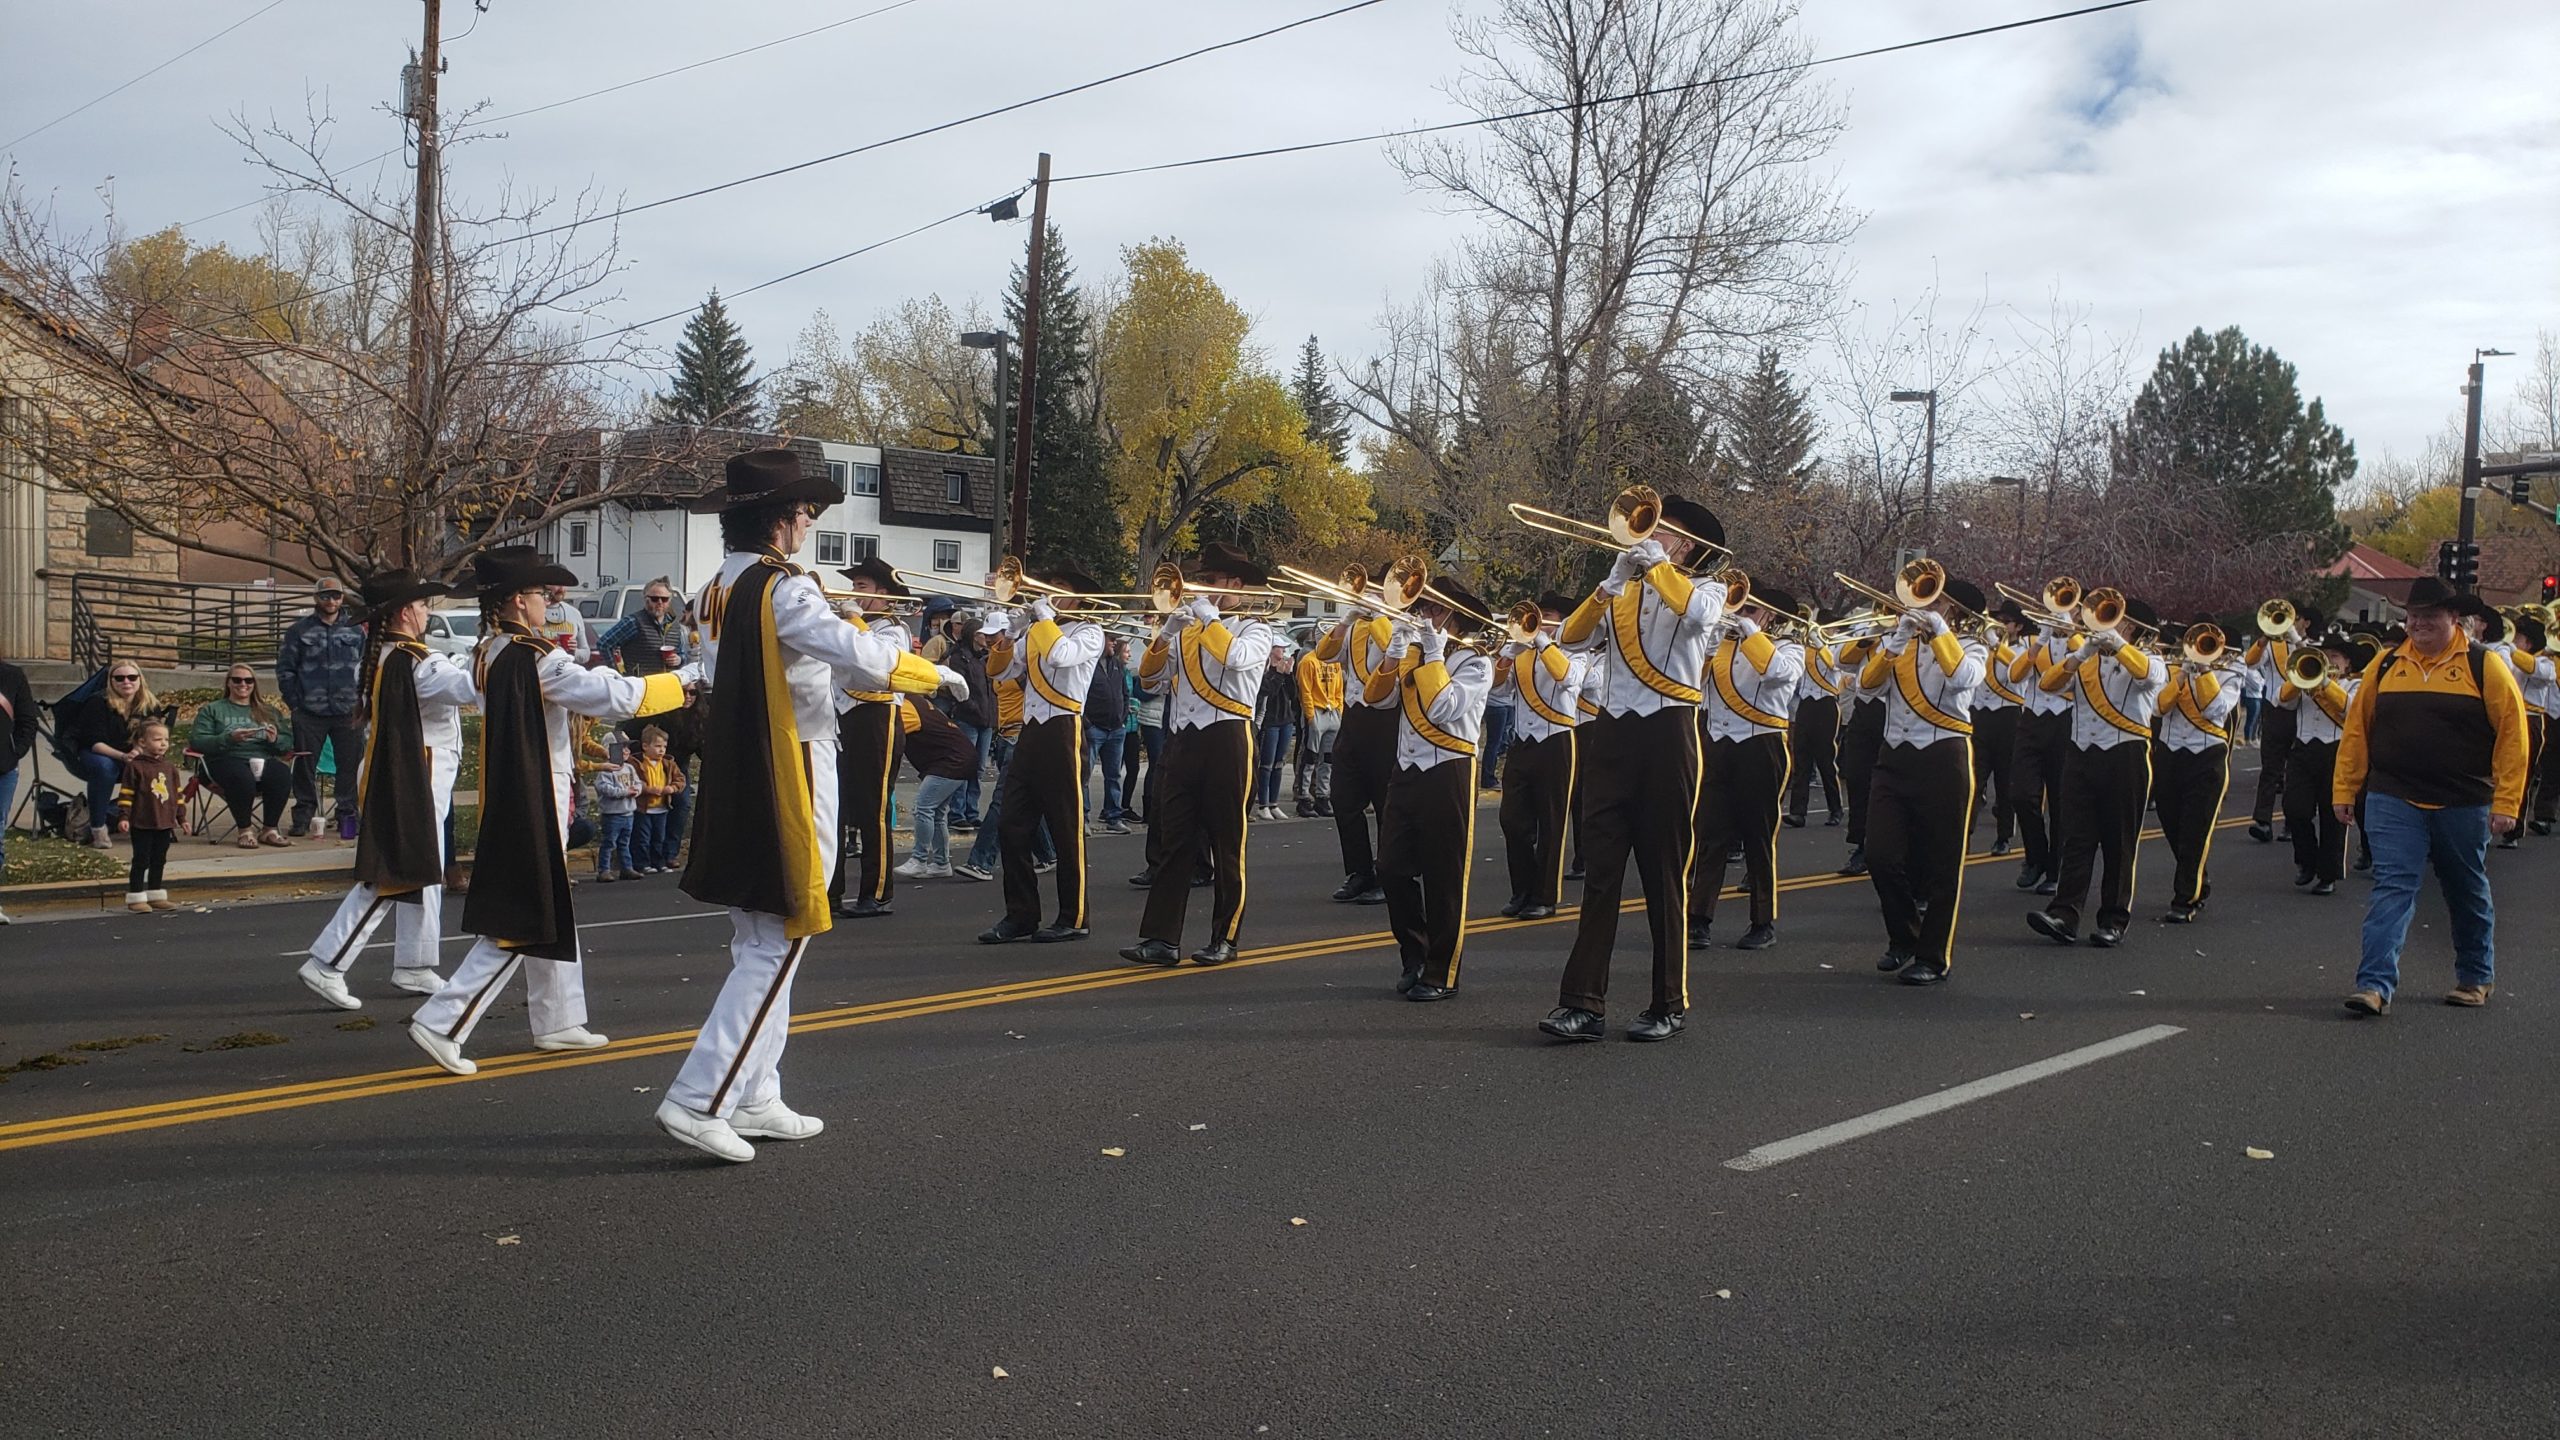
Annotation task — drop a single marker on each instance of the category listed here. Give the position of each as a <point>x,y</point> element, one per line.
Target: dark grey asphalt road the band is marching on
<point>1332,1213</point>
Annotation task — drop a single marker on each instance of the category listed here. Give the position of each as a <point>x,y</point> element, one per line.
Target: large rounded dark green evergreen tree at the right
<point>2226,414</point>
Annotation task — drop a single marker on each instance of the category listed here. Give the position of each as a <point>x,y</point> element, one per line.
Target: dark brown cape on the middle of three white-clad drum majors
<point>518,870</point>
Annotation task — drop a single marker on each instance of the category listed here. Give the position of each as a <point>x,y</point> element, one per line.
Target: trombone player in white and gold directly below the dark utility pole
<point>1046,780</point>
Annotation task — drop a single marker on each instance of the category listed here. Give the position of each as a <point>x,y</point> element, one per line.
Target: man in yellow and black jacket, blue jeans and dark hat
<point>2436,742</point>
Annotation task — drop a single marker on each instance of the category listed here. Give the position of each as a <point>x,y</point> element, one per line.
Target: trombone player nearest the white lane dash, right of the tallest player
<point>1921,806</point>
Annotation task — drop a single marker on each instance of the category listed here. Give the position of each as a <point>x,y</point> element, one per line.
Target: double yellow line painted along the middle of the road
<point>232,1106</point>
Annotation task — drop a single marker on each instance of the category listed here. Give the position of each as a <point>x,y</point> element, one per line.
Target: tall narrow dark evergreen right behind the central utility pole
<point>1071,498</point>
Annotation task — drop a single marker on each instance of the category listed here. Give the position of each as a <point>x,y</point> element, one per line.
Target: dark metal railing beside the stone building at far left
<point>186,624</point>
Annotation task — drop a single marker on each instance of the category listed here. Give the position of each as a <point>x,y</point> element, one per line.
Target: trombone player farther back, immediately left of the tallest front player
<point>1540,765</point>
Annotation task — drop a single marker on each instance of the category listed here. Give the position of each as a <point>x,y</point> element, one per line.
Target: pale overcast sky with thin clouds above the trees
<point>2367,186</point>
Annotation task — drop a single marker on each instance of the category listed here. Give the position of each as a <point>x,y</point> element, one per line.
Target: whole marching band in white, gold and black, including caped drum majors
<point>1673,719</point>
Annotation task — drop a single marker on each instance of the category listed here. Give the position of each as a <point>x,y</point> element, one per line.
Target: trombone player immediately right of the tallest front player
<point>1742,729</point>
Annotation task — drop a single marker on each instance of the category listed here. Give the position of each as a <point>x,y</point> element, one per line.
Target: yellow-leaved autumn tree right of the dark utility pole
<point>1192,414</point>
